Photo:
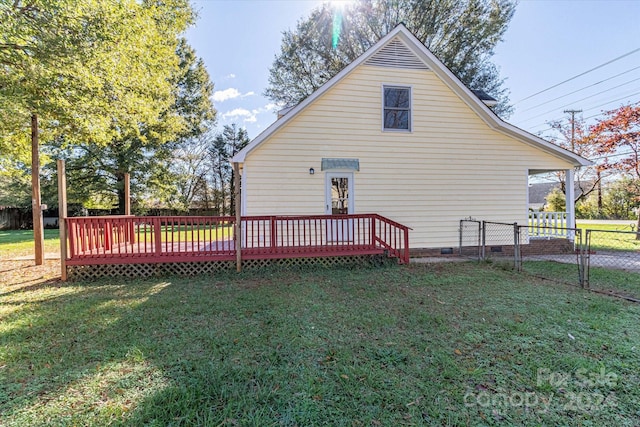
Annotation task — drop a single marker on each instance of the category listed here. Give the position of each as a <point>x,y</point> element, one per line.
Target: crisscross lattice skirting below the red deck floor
<point>81,272</point>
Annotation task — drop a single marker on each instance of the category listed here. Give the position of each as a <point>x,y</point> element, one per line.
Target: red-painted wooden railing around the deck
<point>129,239</point>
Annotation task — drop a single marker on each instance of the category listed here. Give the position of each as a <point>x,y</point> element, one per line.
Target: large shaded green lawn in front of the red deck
<point>445,344</point>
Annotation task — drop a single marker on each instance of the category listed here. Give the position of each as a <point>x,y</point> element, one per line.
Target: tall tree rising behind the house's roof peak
<point>461,33</point>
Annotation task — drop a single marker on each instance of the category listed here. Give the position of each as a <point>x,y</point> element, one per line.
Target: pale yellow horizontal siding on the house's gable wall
<point>451,166</point>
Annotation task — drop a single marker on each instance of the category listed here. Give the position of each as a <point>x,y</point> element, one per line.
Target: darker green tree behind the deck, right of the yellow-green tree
<point>145,150</point>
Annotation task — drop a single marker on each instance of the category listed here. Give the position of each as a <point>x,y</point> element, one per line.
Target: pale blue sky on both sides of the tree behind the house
<point>547,43</point>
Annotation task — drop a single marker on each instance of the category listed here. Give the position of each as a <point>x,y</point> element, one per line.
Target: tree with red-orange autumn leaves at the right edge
<point>618,139</point>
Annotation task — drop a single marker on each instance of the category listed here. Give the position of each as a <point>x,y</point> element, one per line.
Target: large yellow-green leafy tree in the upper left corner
<point>83,69</point>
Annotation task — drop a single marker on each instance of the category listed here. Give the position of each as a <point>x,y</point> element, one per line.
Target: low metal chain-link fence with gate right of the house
<point>603,260</point>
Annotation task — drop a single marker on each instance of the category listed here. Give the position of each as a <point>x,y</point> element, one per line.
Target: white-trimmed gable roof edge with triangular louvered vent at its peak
<point>400,48</point>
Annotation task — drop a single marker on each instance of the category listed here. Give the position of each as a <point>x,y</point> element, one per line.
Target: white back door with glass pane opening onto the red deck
<point>339,201</point>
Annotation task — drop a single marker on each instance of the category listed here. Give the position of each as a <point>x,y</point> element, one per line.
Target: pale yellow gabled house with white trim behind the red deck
<point>396,133</point>
